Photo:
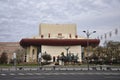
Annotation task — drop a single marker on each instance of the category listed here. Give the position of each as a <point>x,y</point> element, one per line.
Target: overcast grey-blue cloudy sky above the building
<point>21,18</point>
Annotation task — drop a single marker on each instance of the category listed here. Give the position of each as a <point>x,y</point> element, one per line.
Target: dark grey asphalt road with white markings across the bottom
<point>60,75</point>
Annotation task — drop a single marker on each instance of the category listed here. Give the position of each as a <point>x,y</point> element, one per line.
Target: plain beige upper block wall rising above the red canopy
<point>57,28</point>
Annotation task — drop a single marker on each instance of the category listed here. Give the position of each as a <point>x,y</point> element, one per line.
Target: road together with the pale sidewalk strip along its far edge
<point>59,73</point>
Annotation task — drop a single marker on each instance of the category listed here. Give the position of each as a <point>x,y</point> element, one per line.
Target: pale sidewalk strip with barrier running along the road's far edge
<point>75,68</point>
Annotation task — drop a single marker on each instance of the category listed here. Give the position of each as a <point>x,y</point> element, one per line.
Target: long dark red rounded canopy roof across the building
<point>59,42</point>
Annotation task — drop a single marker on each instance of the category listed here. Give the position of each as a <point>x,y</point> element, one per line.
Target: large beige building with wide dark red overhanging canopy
<point>55,39</point>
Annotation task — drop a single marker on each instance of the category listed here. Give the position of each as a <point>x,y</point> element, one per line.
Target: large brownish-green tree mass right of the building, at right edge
<point>108,54</point>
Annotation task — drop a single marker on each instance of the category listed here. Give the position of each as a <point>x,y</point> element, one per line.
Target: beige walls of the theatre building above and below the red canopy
<point>54,31</point>
